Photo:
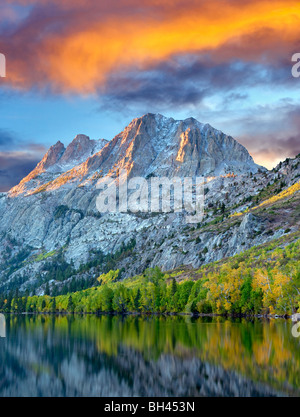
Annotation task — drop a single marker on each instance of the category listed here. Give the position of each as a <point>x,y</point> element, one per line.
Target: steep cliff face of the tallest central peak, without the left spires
<point>166,147</point>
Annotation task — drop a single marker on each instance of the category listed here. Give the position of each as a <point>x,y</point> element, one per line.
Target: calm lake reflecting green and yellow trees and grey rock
<point>147,356</point>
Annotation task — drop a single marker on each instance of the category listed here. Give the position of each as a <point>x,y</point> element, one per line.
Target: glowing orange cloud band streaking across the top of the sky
<point>82,57</point>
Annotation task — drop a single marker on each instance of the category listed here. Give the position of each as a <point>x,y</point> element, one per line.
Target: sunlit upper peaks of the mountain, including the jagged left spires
<point>152,144</point>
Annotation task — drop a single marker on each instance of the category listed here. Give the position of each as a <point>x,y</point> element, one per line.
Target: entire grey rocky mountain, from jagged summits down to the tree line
<point>51,230</point>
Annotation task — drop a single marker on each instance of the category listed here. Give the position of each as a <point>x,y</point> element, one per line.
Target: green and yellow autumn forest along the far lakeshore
<point>263,280</point>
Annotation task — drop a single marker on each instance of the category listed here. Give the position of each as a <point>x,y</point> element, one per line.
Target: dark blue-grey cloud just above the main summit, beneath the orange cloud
<point>182,82</point>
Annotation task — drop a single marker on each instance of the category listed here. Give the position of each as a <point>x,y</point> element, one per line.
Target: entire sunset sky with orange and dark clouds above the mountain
<point>81,66</point>
